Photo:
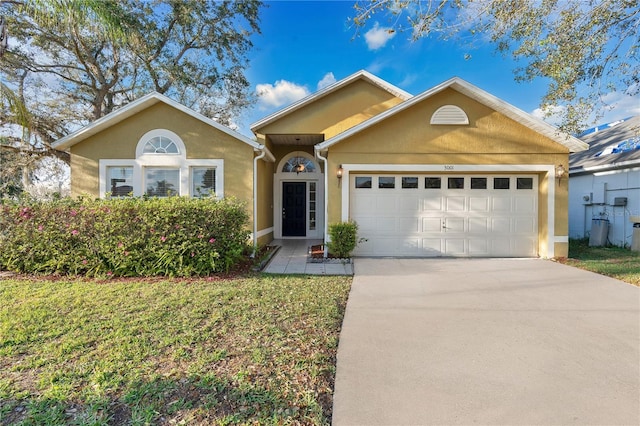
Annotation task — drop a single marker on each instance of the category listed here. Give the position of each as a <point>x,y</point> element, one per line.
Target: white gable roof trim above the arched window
<point>135,107</point>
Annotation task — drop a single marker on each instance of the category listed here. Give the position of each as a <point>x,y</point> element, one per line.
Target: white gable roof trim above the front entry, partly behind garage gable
<point>360,75</point>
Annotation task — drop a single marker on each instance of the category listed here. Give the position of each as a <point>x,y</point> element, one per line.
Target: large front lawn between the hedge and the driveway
<point>239,351</point>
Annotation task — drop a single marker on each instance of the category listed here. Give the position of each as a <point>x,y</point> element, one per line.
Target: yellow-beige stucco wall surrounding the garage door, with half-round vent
<point>490,139</point>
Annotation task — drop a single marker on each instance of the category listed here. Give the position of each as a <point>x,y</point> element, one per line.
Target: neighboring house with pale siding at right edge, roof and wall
<point>605,182</point>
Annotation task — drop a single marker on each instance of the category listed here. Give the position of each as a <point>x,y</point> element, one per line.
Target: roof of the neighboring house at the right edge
<point>617,146</point>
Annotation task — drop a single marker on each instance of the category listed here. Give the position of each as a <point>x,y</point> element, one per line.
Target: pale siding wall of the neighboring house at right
<point>605,186</point>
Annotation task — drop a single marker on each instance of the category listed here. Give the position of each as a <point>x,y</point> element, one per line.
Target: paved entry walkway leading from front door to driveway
<point>292,256</point>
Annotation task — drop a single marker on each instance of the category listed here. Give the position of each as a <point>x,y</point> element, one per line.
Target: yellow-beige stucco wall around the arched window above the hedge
<point>201,140</point>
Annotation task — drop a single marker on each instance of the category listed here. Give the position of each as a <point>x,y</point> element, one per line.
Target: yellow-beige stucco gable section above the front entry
<point>336,112</point>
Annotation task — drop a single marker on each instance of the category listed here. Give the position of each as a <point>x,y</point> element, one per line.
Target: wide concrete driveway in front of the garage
<point>487,341</point>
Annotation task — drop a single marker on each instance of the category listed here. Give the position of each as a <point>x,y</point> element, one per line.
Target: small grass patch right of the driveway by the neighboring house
<point>617,262</point>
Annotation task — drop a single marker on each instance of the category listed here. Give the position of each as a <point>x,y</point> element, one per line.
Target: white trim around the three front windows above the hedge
<point>162,162</point>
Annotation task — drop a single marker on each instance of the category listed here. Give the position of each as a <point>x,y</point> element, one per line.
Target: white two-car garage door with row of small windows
<point>445,215</point>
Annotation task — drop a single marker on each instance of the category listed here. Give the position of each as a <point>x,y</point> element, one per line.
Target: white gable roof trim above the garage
<point>477,94</point>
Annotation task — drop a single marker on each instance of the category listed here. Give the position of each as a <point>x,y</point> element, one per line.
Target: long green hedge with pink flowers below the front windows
<point>174,236</point>
